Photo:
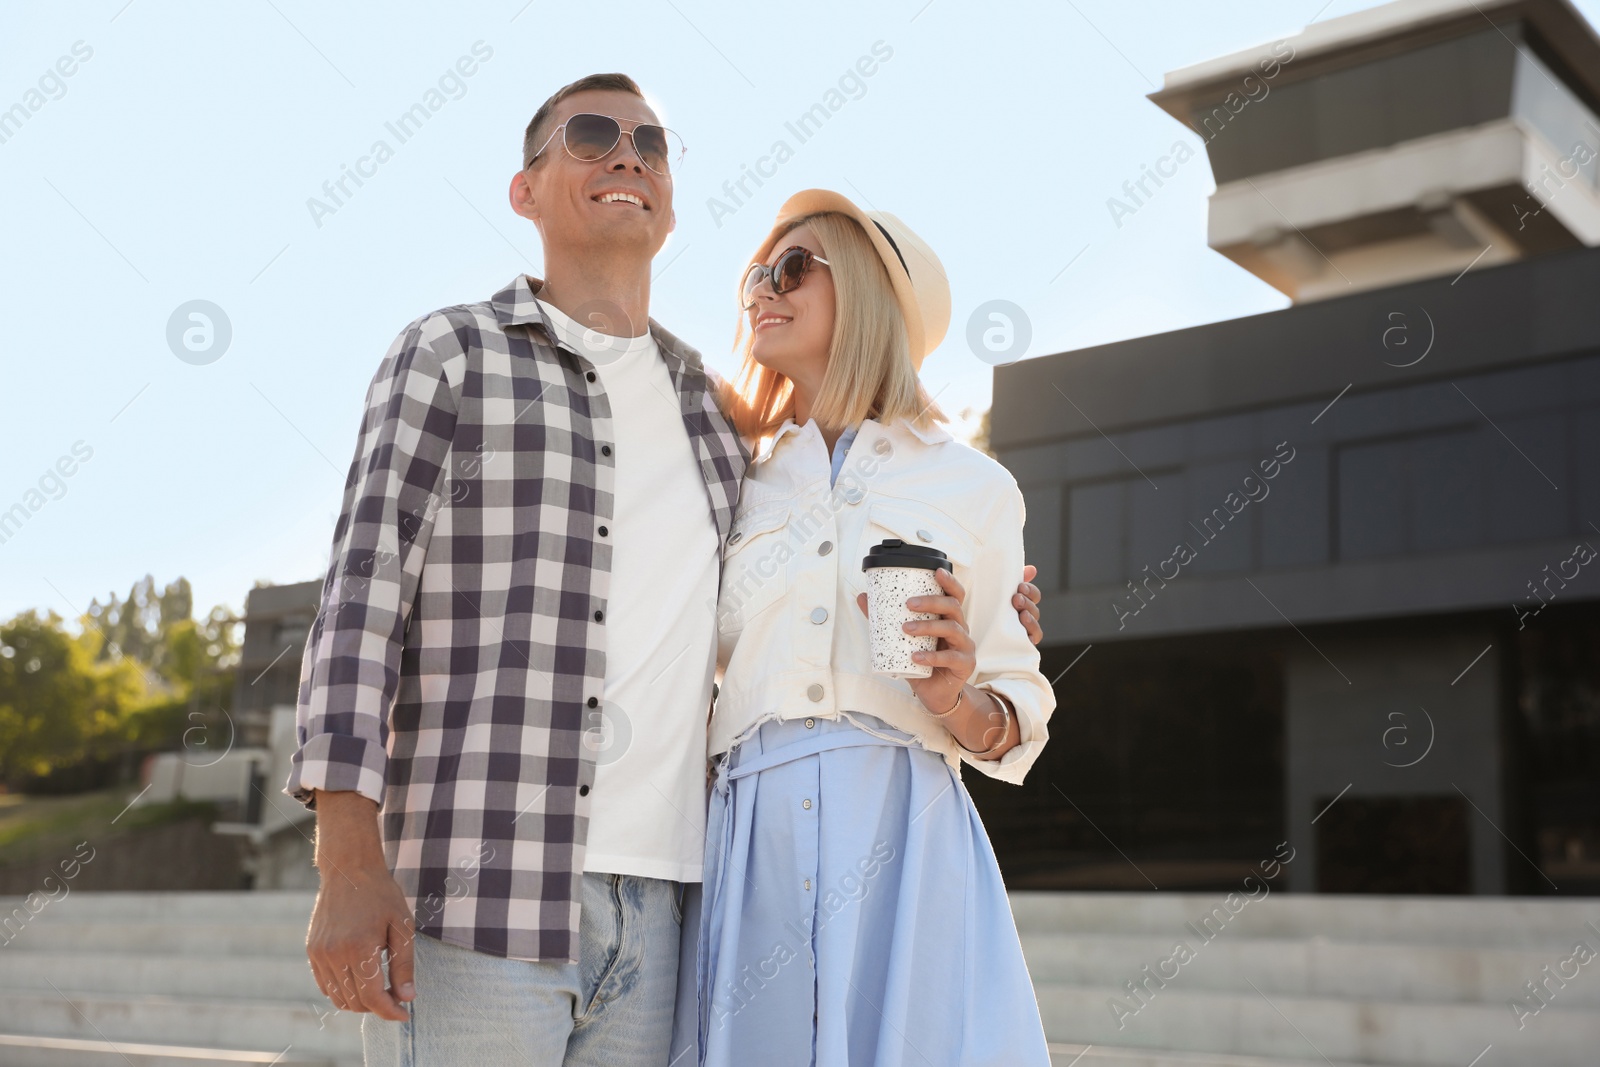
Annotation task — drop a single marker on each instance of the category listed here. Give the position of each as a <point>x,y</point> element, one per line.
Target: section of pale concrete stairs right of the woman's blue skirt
<point>1302,981</point>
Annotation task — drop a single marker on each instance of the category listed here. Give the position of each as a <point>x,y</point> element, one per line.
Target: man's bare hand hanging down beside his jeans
<point>361,913</point>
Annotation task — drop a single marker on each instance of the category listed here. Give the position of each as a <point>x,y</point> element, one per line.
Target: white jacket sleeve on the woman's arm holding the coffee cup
<point>1007,660</point>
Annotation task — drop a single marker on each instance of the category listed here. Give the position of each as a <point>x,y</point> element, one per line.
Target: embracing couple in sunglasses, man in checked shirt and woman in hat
<point>558,527</point>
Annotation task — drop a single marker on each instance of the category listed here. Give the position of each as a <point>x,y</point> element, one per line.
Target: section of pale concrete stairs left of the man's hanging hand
<point>167,980</point>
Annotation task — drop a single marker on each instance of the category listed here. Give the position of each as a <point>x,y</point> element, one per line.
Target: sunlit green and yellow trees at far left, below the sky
<point>126,684</point>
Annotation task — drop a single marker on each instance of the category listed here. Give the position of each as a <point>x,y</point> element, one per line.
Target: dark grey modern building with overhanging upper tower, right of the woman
<point>1330,575</point>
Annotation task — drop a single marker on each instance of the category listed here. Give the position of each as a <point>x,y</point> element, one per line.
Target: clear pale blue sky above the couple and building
<point>178,159</point>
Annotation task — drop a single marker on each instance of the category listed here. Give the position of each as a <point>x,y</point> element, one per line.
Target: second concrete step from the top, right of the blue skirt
<point>1313,967</point>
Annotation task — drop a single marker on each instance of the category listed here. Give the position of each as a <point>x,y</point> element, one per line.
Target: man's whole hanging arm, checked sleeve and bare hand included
<point>353,666</point>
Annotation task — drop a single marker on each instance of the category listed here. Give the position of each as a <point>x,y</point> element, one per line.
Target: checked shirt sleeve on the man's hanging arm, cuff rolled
<point>351,666</point>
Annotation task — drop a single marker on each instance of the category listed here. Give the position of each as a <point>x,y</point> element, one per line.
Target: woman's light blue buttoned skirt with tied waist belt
<point>852,913</point>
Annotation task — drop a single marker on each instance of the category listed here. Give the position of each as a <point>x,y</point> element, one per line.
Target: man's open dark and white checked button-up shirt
<point>460,650</point>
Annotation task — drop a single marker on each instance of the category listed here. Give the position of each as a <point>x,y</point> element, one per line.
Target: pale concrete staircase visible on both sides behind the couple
<point>193,980</point>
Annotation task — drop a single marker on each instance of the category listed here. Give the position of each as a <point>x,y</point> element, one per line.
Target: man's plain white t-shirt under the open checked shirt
<point>647,812</point>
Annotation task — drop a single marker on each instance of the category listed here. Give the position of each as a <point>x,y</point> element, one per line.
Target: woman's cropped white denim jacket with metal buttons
<point>793,644</point>
